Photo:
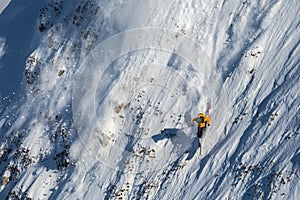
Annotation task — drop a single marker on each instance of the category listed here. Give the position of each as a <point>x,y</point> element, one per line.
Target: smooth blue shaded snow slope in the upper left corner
<point>17,40</point>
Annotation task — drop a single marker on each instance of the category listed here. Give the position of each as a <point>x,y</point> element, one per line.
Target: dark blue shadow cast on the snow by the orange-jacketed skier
<point>179,138</point>
